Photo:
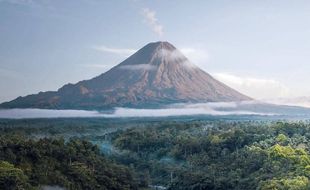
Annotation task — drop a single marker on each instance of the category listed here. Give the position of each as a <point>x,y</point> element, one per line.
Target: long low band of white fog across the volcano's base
<point>213,109</point>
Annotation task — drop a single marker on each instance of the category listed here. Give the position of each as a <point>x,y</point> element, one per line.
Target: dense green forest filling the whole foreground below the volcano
<point>170,154</point>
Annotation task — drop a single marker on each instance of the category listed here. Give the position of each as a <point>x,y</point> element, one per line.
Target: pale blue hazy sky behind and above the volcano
<point>261,48</point>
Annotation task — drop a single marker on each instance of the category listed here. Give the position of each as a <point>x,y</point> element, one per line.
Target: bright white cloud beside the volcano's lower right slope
<point>255,87</point>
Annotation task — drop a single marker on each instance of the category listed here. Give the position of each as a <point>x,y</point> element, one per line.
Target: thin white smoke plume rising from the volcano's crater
<point>152,21</point>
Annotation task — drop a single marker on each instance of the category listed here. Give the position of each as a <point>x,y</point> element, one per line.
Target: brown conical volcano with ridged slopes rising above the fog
<point>156,75</point>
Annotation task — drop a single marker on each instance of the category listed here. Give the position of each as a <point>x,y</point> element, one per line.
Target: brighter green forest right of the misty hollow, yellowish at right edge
<point>229,155</point>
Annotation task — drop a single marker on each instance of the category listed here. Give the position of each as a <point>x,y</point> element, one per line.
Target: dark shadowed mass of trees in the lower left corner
<point>76,164</point>
